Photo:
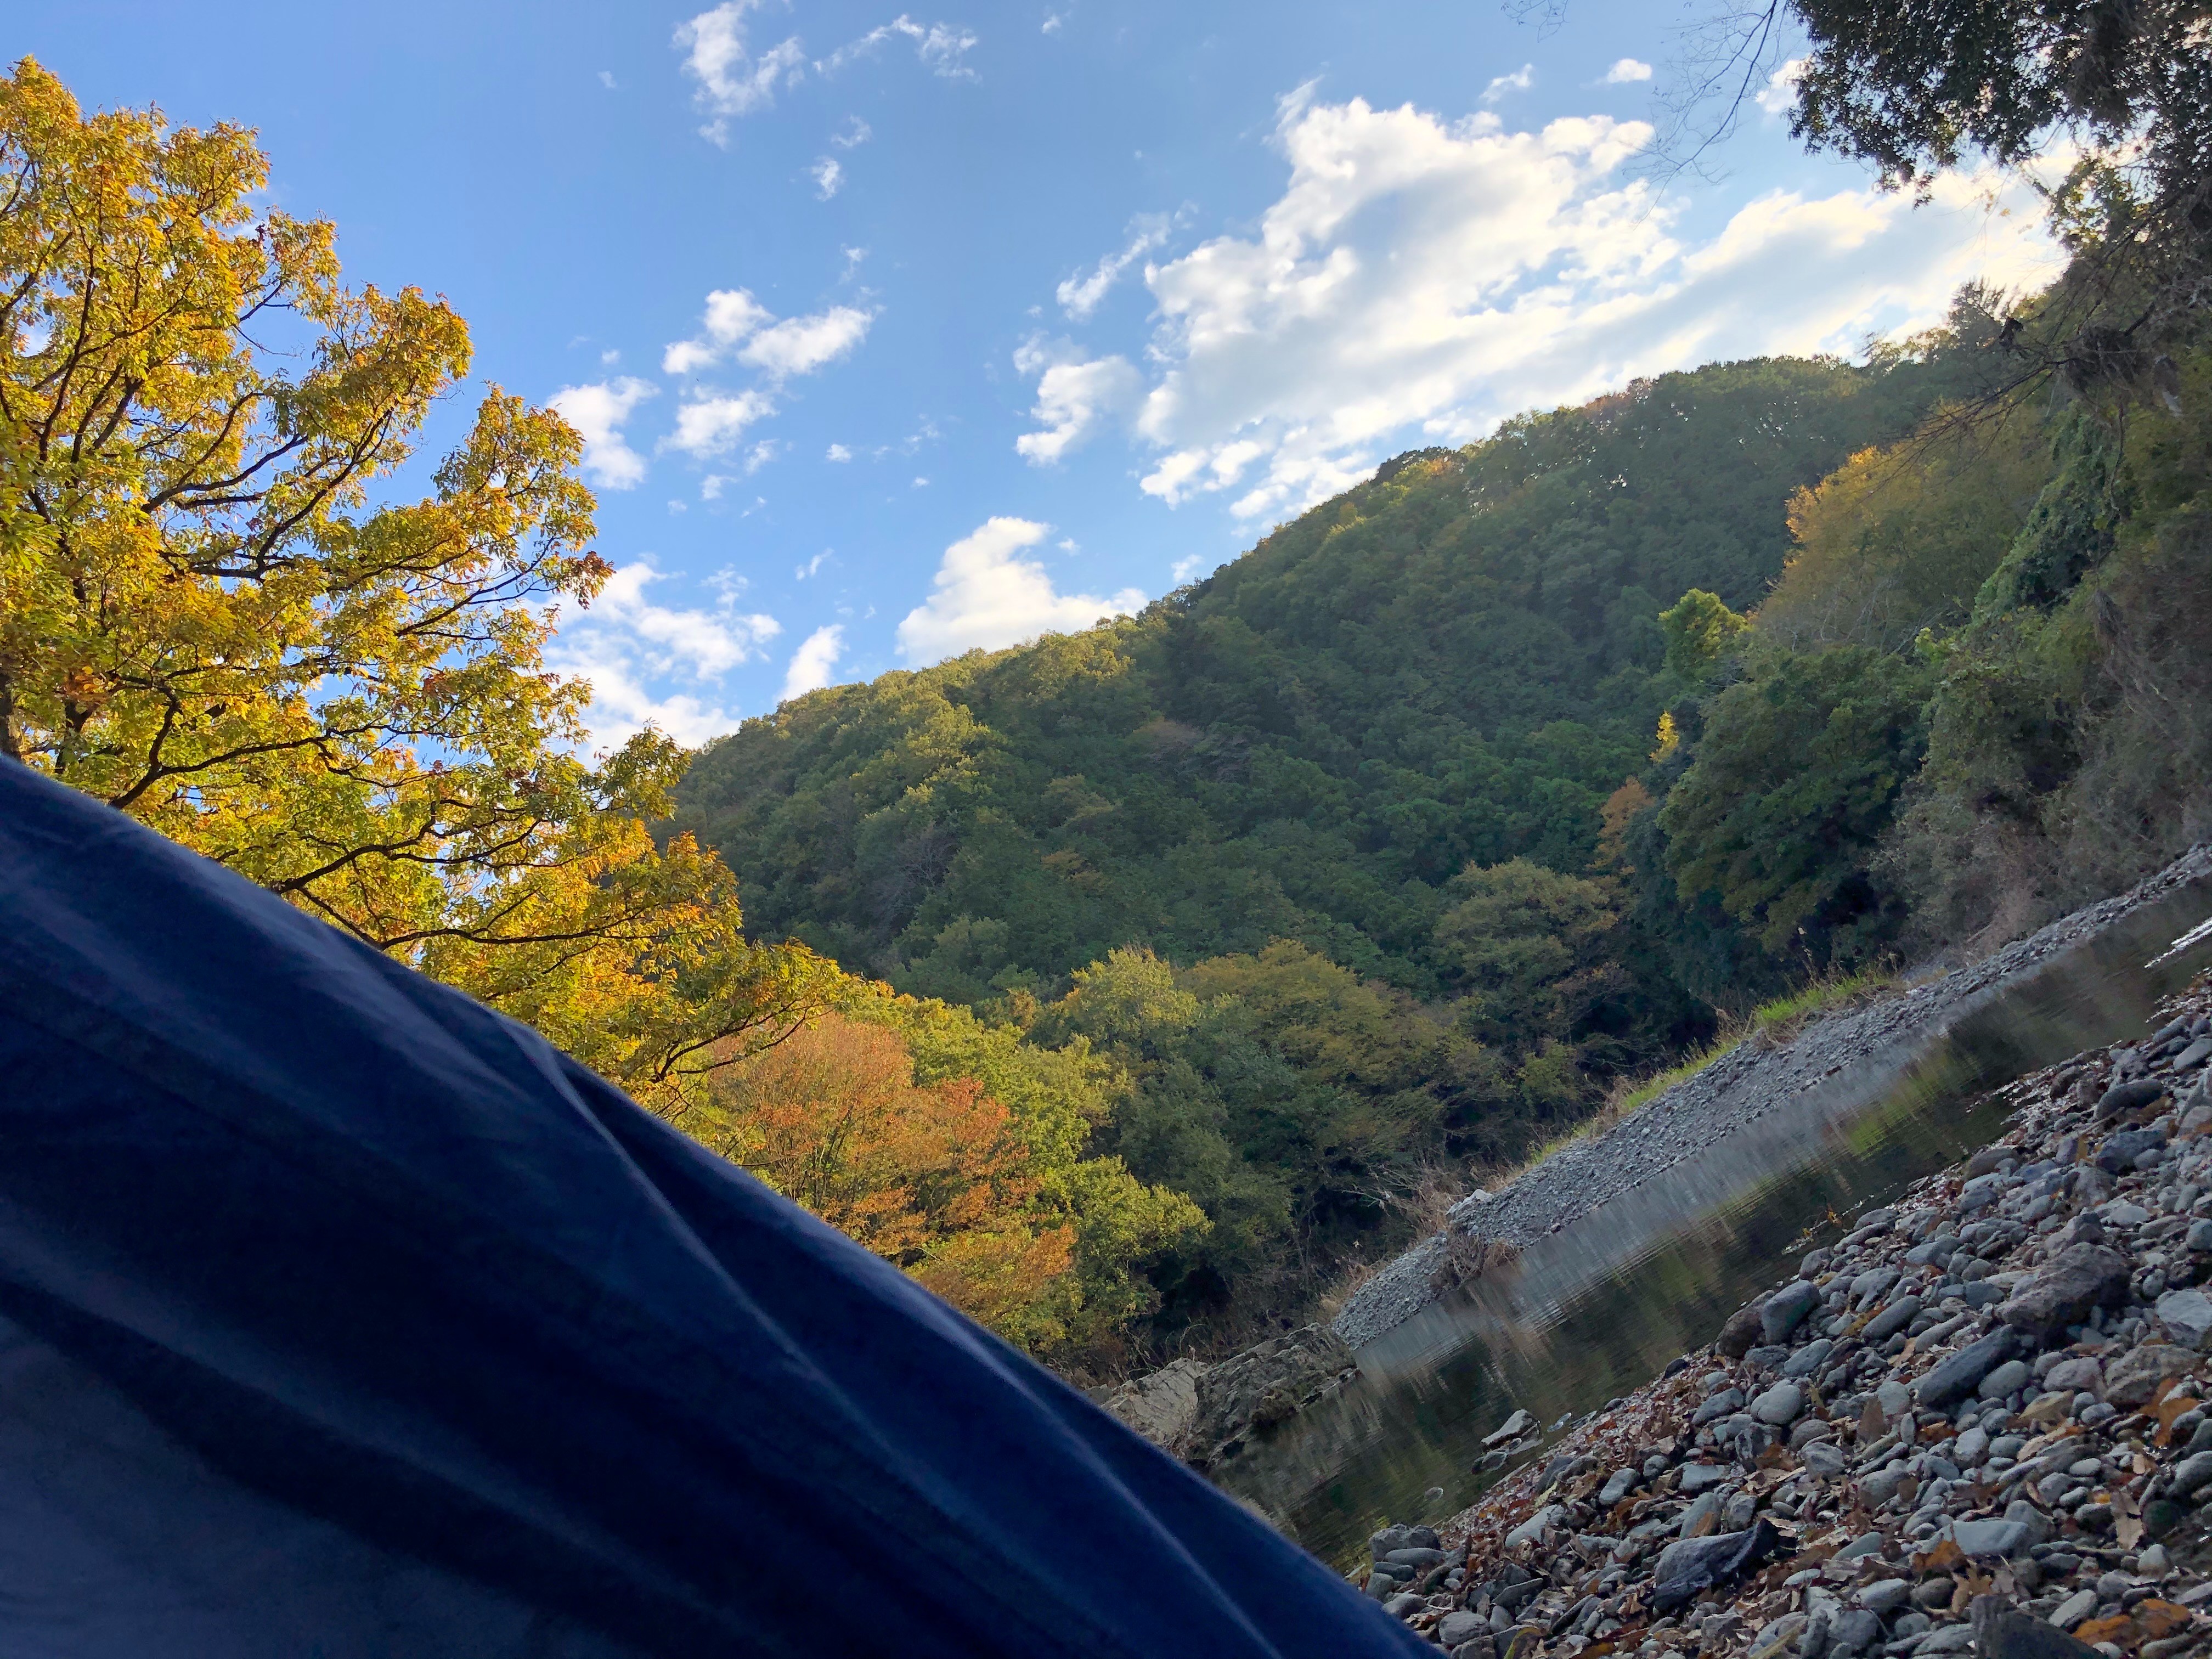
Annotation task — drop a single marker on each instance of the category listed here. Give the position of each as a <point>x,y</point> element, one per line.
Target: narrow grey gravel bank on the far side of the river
<point>1733,1092</point>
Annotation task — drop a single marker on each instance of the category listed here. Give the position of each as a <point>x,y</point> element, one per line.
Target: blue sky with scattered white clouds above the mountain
<point>908,333</point>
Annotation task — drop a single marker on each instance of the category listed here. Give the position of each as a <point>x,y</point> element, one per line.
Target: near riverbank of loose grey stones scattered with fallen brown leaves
<point>1979,1421</point>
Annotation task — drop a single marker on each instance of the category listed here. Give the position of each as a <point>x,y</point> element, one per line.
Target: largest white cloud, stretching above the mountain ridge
<point>1419,280</point>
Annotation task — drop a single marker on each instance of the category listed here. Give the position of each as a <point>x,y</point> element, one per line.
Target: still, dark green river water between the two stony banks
<point>1605,1304</point>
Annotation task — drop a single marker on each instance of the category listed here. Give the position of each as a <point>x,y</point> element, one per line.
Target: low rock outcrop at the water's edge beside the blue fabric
<point>1207,1415</point>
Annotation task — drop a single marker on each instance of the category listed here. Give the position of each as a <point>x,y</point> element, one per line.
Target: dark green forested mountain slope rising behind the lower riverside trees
<point>1454,662</point>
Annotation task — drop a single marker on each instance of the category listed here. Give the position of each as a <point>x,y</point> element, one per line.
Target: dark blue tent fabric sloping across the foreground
<point>342,1315</point>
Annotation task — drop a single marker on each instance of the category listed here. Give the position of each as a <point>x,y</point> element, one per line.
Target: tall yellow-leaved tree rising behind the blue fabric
<point>222,614</point>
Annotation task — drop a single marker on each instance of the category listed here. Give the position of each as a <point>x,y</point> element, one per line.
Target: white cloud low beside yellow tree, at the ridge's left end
<point>632,651</point>
